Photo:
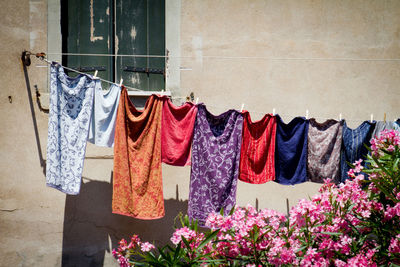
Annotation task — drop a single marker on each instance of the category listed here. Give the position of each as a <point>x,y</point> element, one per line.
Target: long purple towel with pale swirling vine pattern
<point>215,163</point>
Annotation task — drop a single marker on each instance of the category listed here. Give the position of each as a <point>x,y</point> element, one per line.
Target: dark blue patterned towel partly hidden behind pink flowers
<point>353,145</point>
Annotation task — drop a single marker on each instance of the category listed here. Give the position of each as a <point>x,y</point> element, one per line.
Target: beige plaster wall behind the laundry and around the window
<point>39,224</point>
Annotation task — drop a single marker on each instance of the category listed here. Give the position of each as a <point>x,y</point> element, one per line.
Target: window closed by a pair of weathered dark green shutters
<point>124,27</point>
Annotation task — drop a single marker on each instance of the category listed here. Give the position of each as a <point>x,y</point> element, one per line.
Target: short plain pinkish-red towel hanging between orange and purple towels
<point>177,133</point>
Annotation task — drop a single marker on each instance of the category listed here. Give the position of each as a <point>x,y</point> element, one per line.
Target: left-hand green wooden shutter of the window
<point>89,30</point>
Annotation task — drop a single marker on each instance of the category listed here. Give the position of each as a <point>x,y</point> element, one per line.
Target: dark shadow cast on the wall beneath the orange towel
<point>91,229</point>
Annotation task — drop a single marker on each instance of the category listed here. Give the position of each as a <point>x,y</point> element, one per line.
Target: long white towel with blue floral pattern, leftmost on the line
<point>71,103</point>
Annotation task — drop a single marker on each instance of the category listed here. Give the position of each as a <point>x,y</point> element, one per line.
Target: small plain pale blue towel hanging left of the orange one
<point>104,114</point>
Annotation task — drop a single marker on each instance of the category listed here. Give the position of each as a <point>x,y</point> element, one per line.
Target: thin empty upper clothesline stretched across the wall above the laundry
<point>232,57</point>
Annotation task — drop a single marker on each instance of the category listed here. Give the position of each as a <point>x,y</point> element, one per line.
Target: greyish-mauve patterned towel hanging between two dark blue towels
<point>324,143</point>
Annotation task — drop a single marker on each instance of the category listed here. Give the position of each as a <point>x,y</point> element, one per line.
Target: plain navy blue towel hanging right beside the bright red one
<point>291,151</point>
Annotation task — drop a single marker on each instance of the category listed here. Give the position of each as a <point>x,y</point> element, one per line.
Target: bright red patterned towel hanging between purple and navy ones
<point>257,157</point>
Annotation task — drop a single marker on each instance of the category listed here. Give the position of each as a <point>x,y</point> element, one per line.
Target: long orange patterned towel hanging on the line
<point>137,181</point>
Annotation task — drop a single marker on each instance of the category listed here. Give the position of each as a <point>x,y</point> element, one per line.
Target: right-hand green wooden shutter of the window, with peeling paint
<point>140,30</point>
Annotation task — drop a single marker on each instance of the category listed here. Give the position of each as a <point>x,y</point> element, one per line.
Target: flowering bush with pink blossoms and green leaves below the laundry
<point>353,224</point>
